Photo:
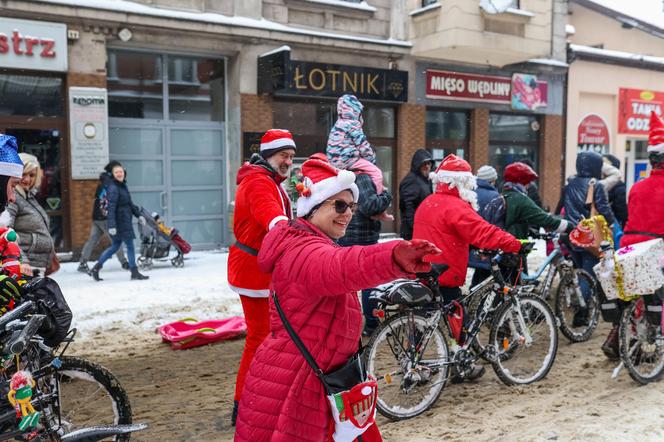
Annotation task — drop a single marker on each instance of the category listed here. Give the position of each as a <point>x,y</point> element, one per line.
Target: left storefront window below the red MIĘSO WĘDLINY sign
<point>447,133</point>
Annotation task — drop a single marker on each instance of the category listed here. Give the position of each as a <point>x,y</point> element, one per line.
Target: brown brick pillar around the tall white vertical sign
<point>80,192</point>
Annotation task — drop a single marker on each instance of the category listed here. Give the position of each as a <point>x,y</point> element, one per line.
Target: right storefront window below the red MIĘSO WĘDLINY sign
<point>513,138</point>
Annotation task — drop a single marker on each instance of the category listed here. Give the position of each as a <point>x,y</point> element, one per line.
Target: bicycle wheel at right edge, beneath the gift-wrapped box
<point>641,344</point>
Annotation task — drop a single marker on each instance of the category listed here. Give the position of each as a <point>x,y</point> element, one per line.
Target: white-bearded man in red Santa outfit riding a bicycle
<point>448,218</point>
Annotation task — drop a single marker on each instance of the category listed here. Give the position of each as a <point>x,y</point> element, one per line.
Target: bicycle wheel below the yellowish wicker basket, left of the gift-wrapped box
<point>577,324</point>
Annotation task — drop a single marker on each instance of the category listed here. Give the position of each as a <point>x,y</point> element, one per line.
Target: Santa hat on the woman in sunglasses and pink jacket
<point>321,181</point>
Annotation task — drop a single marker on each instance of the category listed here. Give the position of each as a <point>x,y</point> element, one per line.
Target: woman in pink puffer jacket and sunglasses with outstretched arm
<point>316,282</point>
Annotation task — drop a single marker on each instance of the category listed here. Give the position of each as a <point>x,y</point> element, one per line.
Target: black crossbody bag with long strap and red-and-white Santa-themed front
<point>351,393</point>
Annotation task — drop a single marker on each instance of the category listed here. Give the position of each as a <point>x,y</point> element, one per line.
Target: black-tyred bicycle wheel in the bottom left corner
<point>89,395</point>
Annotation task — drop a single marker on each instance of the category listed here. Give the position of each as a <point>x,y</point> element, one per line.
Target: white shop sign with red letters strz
<point>35,45</point>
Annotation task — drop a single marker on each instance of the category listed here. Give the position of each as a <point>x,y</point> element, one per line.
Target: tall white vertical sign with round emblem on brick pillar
<point>88,123</point>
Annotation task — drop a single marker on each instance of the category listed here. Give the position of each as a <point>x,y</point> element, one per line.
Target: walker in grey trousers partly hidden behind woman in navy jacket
<point>99,227</point>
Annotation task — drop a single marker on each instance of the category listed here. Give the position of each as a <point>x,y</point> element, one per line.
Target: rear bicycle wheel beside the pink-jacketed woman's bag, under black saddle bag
<point>410,369</point>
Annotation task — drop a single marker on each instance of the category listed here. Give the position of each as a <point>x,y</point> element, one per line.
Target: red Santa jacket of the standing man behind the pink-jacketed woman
<point>260,202</point>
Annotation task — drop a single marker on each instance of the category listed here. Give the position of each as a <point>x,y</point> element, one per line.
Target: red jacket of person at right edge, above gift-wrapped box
<point>645,209</point>
